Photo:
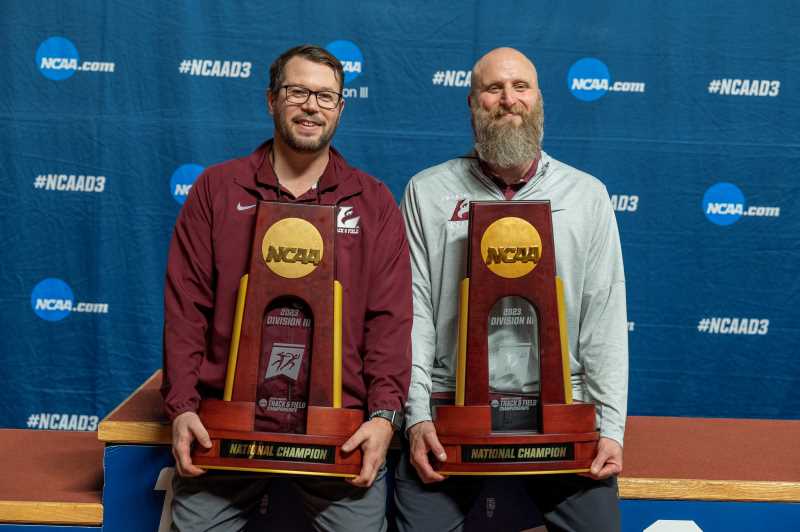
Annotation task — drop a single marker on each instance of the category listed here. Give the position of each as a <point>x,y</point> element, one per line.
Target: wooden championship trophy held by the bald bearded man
<point>513,333</point>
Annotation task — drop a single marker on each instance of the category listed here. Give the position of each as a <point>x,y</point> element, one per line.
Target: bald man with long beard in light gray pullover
<point>509,164</point>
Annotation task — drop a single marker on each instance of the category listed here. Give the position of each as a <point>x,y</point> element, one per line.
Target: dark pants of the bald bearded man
<point>566,502</point>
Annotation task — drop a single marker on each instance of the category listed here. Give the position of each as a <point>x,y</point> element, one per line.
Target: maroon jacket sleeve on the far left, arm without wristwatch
<point>188,301</point>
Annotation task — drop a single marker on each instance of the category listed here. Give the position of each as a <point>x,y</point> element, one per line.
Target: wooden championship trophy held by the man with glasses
<point>281,408</point>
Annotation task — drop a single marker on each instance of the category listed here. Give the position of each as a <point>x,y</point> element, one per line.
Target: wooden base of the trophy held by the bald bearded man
<point>569,446</point>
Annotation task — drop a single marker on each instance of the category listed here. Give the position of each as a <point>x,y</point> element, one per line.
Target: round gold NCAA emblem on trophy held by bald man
<point>511,247</point>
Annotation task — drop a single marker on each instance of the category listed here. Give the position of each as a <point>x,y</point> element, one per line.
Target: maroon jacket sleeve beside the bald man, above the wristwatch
<point>387,326</point>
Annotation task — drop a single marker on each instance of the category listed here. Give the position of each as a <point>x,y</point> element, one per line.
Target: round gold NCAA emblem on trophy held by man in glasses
<point>292,248</point>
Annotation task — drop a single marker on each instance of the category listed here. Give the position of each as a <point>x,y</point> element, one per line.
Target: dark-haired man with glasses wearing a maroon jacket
<point>209,253</point>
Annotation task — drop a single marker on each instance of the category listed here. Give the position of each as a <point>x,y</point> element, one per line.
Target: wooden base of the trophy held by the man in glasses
<point>236,446</point>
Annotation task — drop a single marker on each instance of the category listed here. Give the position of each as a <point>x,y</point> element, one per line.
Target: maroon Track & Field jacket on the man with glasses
<point>210,251</point>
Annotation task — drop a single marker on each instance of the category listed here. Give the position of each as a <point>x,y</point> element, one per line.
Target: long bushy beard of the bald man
<point>507,144</point>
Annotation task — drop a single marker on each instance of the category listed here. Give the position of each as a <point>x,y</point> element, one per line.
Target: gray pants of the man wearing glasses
<point>224,501</point>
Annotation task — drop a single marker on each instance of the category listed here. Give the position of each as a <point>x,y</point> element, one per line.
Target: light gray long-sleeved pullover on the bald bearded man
<point>588,259</point>
